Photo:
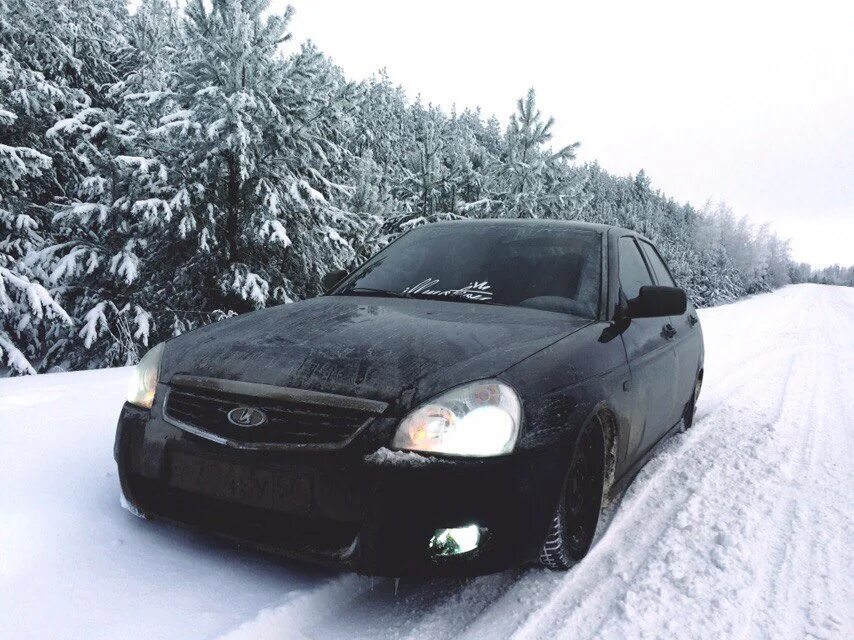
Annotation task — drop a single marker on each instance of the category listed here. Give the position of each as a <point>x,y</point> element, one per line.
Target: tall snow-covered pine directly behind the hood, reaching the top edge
<point>255,135</point>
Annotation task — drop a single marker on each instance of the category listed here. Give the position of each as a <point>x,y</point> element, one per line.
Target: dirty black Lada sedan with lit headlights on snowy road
<point>462,403</point>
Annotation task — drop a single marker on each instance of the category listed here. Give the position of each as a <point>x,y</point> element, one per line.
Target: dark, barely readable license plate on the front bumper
<point>265,488</point>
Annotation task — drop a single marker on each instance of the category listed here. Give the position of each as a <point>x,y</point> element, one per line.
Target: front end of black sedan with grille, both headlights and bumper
<point>338,480</point>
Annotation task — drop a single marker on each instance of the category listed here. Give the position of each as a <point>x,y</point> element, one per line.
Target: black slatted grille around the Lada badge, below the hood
<point>288,422</point>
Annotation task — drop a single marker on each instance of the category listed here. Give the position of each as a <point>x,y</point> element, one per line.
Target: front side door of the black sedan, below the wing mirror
<point>649,351</point>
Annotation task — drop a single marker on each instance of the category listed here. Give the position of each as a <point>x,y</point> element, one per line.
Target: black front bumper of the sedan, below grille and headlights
<point>365,512</point>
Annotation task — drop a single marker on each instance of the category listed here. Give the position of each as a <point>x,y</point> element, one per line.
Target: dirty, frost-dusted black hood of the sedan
<point>401,351</point>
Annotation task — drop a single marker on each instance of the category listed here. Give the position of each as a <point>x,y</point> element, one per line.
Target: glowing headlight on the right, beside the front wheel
<point>477,419</point>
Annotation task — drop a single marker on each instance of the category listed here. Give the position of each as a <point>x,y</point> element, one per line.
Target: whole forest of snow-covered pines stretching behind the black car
<point>170,166</point>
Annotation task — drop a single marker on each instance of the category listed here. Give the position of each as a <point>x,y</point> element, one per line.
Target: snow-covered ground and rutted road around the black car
<point>742,527</point>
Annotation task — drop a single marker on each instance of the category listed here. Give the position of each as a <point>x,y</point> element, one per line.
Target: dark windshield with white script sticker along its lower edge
<point>545,267</point>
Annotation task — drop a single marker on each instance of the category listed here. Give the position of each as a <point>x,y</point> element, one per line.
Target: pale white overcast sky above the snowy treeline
<point>749,102</point>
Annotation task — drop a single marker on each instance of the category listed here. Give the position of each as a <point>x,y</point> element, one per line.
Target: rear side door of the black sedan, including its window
<point>687,341</point>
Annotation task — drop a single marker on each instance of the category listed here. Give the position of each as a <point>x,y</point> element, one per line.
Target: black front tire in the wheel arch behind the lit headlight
<point>576,518</point>
